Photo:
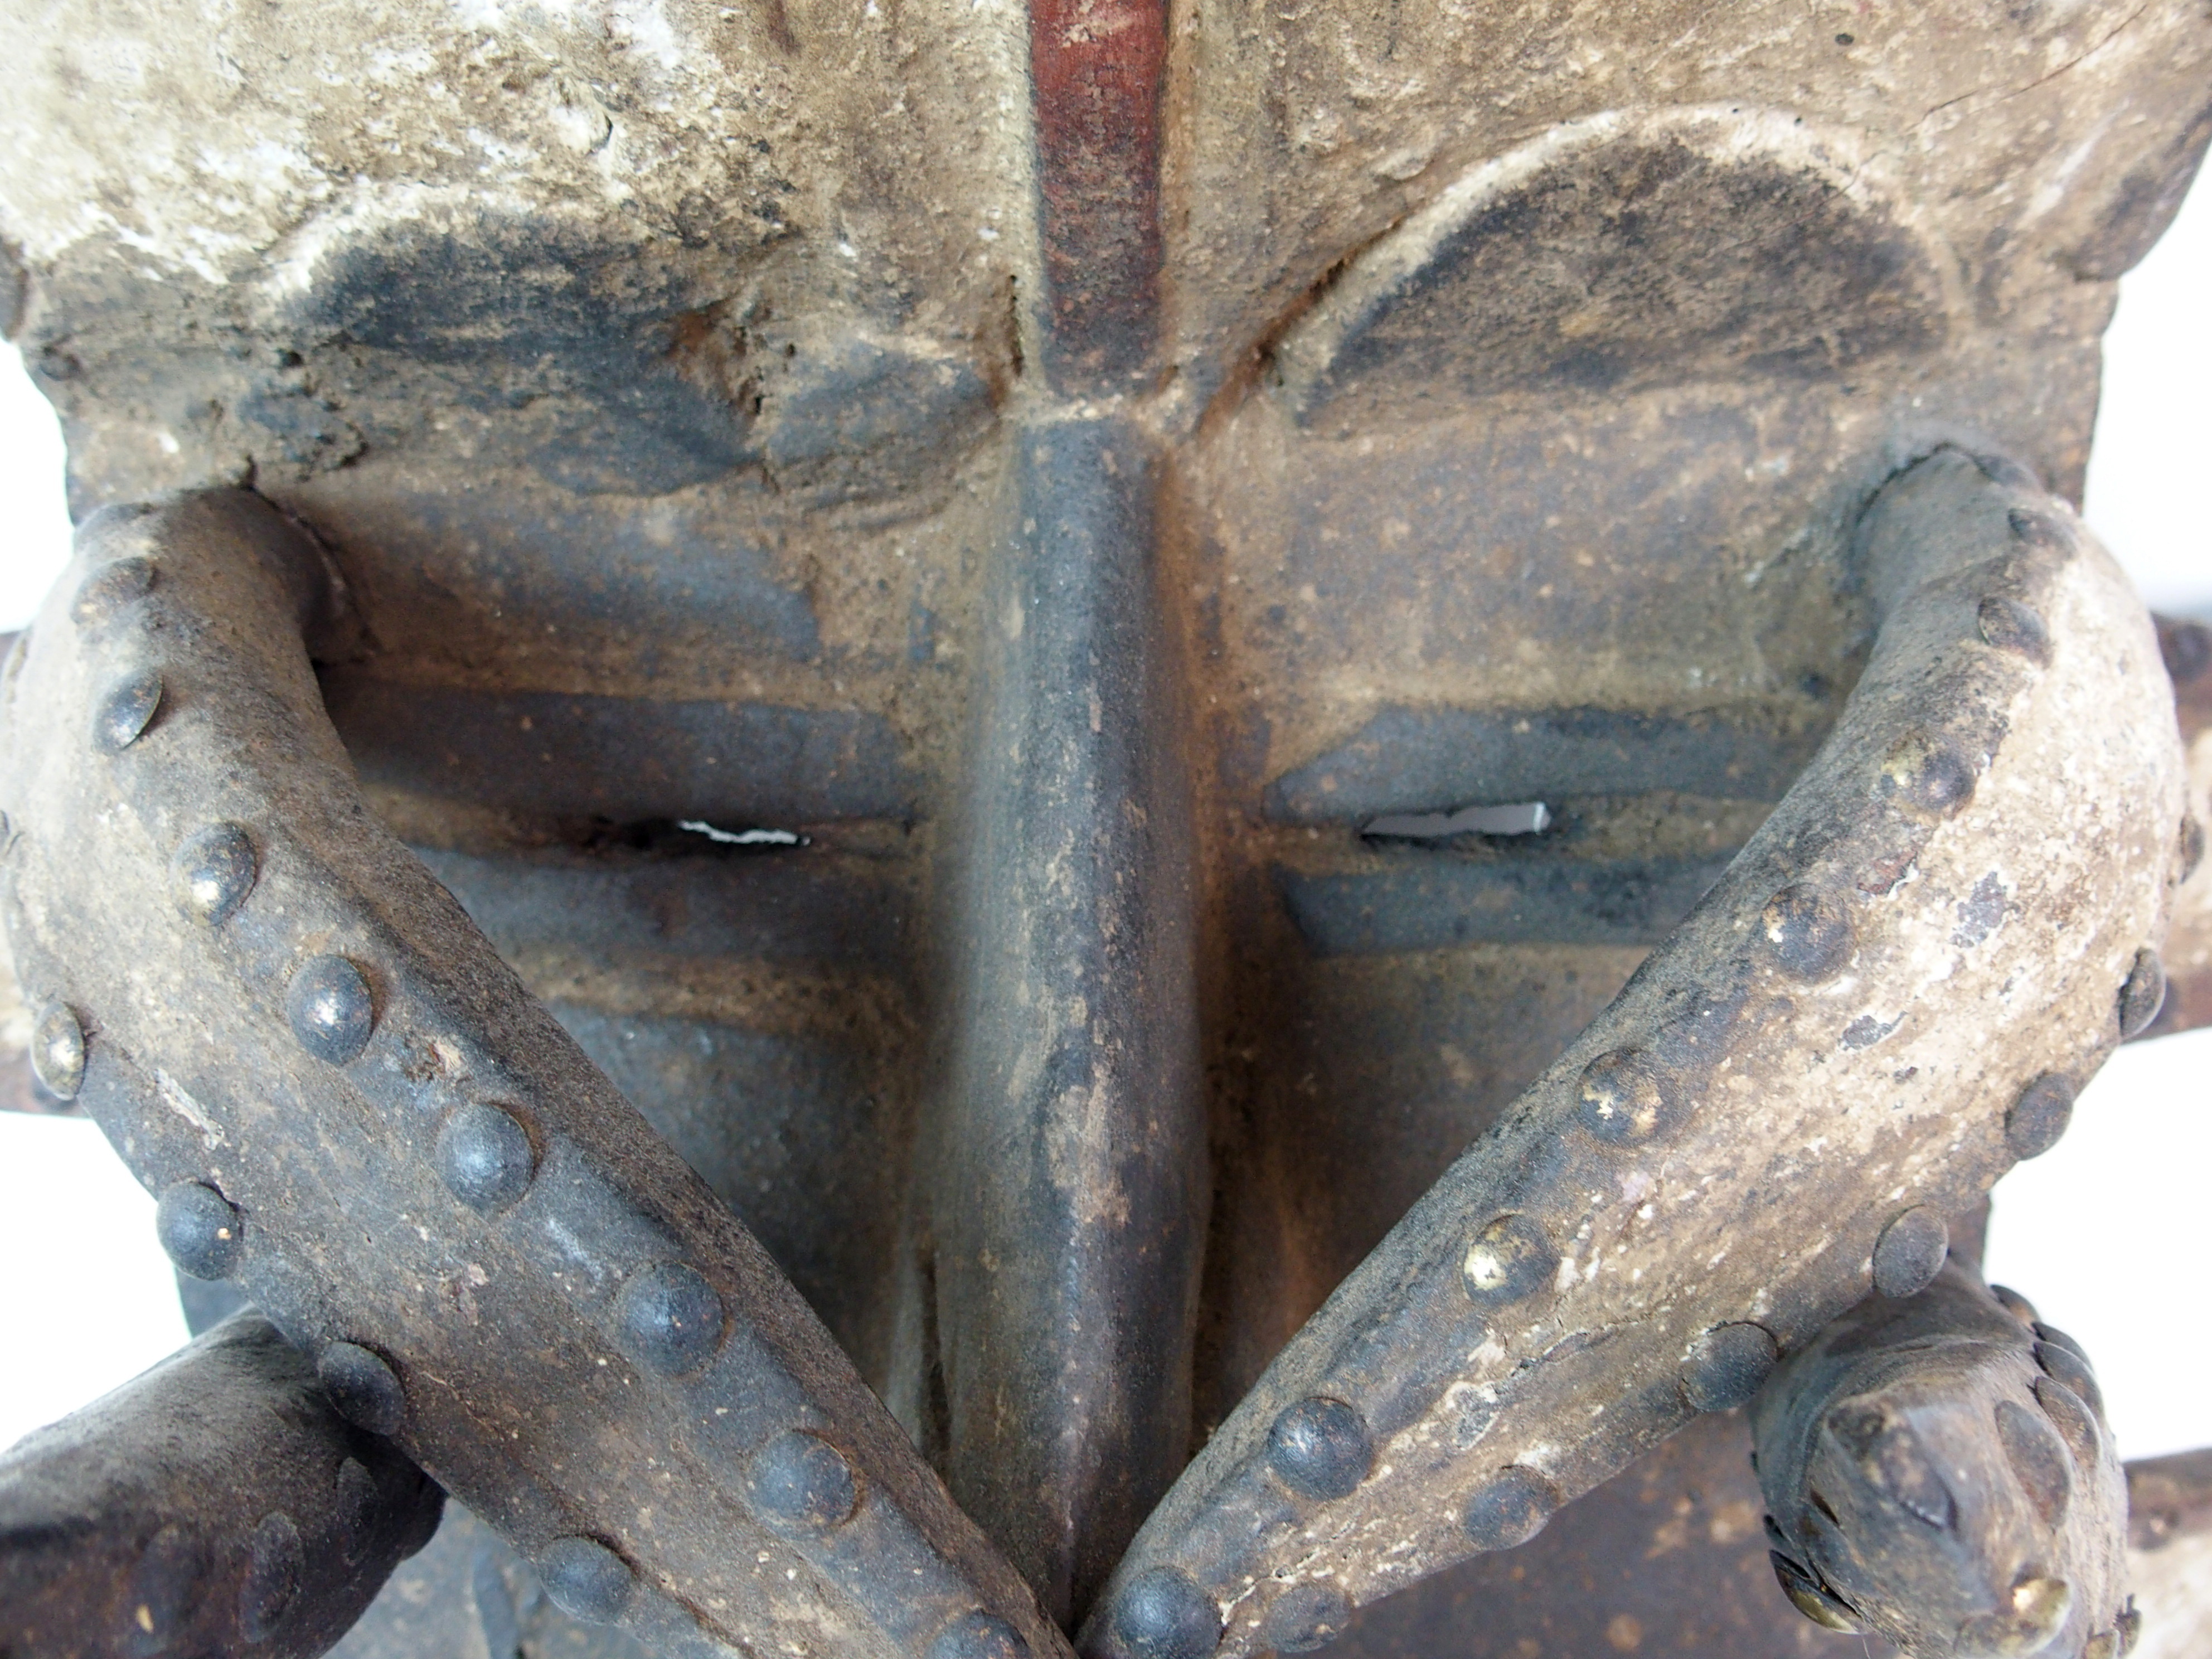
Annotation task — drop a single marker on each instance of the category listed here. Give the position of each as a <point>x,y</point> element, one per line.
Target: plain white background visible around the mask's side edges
<point>2107,1233</point>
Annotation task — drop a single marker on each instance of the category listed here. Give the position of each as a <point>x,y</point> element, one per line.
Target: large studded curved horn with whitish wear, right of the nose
<point>1886,1001</point>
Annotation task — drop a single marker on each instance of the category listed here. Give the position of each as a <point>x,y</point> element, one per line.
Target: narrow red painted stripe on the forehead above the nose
<point>1096,72</point>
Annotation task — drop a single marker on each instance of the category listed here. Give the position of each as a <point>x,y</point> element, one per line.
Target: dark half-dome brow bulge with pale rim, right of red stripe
<point>1607,260</point>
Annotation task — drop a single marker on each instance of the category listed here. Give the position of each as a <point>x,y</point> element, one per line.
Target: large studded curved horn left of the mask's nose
<point>280,1019</point>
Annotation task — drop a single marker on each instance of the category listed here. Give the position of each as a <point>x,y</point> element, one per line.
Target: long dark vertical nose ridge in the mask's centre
<point>1063,1182</point>
